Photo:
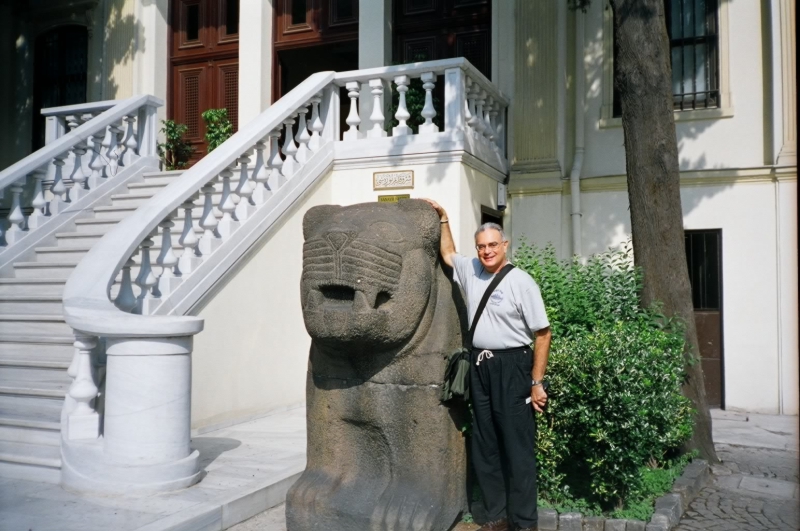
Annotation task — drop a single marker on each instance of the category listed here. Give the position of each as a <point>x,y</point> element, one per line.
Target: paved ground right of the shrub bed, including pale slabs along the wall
<point>756,485</point>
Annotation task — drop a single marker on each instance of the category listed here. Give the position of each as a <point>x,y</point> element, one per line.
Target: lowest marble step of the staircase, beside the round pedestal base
<point>33,462</point>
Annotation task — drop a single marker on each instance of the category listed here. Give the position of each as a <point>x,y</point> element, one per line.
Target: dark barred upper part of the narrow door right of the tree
<point>703,250</point>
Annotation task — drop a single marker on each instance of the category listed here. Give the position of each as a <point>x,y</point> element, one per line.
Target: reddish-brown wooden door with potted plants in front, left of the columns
<point>204,64</point>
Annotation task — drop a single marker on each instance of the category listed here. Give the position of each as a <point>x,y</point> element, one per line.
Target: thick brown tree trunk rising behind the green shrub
<point>643,80</point>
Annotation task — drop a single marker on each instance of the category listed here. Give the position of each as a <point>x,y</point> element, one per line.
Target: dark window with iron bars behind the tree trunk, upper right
<point>693,30</point>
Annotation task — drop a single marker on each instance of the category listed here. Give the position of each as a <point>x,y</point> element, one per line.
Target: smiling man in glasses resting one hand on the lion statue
<point>505,377</point>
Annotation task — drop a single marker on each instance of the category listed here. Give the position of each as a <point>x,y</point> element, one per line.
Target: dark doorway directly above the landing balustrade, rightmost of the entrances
<point>426,30</point>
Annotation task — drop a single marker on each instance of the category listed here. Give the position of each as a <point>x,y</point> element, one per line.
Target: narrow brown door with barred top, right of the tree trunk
<point>704,258</point>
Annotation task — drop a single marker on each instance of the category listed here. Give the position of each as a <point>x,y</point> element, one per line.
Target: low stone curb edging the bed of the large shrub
<point>668,508</point>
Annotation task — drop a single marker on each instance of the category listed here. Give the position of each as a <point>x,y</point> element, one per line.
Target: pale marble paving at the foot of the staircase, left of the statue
<point>248,467</point>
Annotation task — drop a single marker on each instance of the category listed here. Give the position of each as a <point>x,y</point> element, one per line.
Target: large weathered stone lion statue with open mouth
<point>383,453</point>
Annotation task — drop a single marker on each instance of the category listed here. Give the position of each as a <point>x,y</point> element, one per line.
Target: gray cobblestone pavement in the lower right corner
<point>752,489</point>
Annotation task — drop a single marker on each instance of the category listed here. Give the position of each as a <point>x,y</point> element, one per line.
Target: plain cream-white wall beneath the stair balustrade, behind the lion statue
<point>251,358</point>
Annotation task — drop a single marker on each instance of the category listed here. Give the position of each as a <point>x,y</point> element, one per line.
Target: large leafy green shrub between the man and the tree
<point>615,374</point>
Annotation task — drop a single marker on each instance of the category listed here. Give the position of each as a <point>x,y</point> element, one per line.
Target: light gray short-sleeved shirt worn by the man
<point>514,311</point>
